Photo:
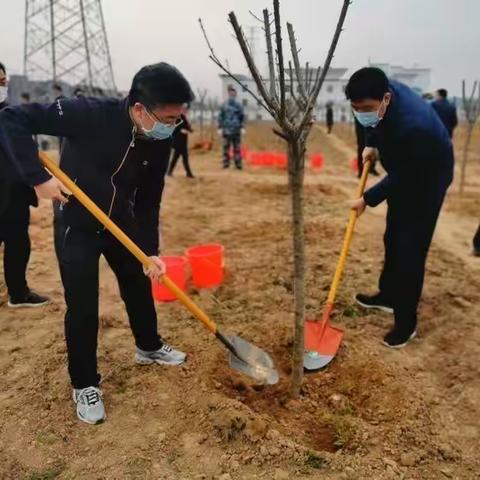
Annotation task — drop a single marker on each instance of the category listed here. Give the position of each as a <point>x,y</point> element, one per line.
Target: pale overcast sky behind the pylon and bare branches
<point>441,34</point>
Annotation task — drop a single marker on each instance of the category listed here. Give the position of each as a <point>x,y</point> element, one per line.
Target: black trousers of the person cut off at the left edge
<point>14,236</point>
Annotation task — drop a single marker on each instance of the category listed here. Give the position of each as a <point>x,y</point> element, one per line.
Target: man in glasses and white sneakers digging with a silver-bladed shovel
<point>117,152</point>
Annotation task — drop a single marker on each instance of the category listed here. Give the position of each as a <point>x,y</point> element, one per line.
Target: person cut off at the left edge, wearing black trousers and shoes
<point>15,200</point>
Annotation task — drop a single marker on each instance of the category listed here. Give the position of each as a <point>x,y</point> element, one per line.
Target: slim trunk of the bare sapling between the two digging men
<point>296,152</point>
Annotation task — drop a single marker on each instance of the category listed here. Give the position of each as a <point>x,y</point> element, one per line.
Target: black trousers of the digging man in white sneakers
<point>78,254</point>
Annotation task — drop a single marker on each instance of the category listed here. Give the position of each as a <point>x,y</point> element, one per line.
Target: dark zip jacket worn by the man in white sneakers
<point>120,171</point>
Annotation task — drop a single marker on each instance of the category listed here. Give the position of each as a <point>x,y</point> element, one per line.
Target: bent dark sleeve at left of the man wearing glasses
<point>63,118</point>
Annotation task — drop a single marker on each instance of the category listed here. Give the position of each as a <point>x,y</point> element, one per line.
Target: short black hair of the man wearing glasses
<point>159,84</point>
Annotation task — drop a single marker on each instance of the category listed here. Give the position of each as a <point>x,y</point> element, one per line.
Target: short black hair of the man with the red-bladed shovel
<point>368,82</point>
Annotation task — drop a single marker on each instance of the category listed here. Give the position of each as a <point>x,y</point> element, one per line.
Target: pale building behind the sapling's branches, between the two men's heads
<point>333,91</point>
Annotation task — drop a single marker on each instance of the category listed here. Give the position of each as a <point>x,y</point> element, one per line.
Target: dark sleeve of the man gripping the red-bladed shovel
<point>411,168</point>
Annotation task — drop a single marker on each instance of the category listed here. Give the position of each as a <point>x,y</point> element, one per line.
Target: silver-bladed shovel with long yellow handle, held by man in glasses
<point>243,356</point>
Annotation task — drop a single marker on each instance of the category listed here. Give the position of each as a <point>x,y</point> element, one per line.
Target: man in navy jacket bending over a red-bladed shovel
<point>415,150</point>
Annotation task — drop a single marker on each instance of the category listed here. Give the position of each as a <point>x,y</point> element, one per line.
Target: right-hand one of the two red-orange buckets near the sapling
<point>207,262</point>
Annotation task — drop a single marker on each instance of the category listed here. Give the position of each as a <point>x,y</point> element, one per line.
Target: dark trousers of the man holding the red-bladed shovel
<point>410,227</point>
